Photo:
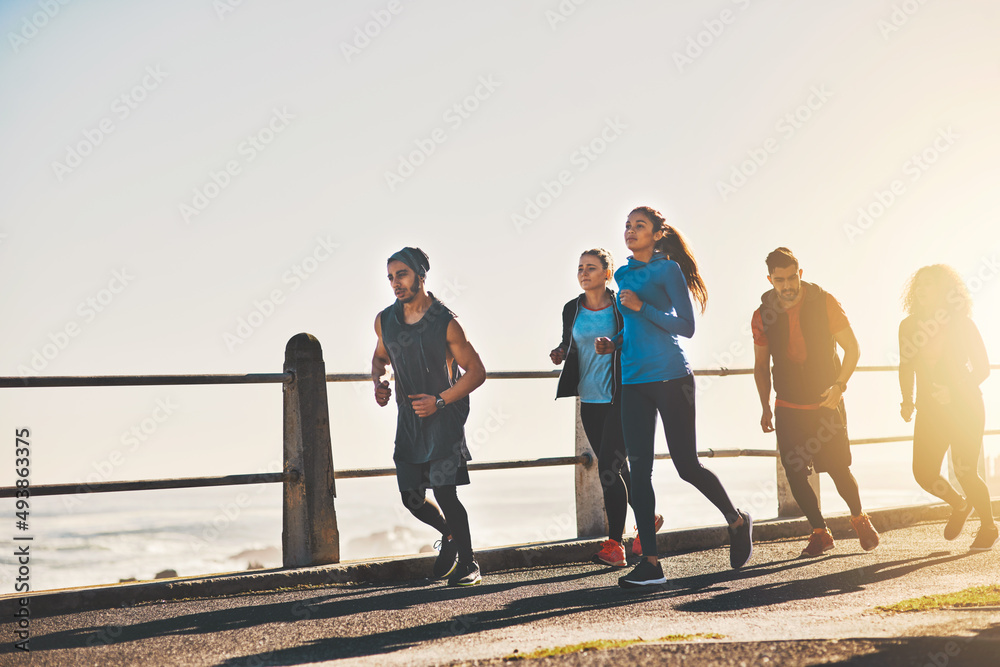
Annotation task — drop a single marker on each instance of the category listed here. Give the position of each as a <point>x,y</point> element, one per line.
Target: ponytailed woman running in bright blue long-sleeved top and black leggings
<point>655,297</point>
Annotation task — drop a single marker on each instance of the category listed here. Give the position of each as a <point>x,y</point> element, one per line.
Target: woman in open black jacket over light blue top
<point>596,379</point>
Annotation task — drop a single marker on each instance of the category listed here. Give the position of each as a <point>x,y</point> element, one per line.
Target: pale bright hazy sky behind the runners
<point>186,185</point>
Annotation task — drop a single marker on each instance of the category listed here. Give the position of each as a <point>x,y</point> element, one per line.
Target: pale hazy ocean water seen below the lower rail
<point>104,538</point>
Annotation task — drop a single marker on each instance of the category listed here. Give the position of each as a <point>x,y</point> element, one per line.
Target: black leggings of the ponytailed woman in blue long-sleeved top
<point>674,400</point>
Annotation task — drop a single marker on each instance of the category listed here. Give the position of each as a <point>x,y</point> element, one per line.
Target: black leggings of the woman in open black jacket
<point>602,423</point>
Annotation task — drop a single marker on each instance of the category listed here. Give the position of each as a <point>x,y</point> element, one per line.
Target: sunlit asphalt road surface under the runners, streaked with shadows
<point>780,610</point>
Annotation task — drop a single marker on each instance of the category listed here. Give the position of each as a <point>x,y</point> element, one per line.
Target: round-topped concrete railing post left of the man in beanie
<point>309,533</point>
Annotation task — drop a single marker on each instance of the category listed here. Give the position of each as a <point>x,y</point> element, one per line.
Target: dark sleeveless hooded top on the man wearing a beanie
<point>419,356</point>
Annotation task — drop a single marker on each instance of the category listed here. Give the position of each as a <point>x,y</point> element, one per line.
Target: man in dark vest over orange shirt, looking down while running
<point>799,326</point>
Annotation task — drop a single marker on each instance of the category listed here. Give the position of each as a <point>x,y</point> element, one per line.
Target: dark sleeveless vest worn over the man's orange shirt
<point>803,383</point>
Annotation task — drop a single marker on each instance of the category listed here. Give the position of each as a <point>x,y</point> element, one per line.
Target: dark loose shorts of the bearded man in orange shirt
<point>812,438</point>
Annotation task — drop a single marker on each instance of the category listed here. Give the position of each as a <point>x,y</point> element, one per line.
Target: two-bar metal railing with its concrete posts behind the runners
<point>309,522</point>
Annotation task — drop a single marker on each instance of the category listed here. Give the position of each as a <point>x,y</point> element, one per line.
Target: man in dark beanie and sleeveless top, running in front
<point>428,351</point>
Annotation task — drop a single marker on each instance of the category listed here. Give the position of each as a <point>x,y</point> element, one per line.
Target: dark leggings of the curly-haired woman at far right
<point>960,426</point>
